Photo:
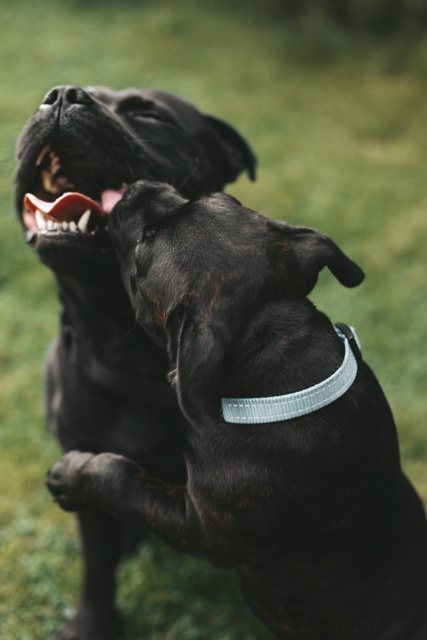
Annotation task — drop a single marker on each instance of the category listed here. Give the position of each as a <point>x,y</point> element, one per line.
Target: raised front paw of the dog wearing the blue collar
<point>66,480</point>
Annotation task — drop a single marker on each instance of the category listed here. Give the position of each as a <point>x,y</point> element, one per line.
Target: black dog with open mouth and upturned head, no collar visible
<point>106,386</point>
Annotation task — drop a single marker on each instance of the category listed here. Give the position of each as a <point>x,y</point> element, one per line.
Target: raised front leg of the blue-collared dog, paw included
<point>119,486</point>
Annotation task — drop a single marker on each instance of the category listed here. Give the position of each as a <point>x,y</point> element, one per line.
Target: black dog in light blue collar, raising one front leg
<point>293,473</point>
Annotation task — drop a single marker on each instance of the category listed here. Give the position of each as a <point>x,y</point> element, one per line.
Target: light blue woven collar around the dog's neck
<point>300,403</point>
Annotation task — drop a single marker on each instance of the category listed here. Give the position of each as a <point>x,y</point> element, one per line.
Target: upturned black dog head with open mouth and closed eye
<point>82,146</point>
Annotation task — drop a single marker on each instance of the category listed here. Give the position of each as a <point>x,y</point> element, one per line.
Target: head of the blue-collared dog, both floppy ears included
<point>197,271</point>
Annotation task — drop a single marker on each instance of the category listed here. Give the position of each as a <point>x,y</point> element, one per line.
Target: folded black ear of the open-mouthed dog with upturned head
<point>238,152</point>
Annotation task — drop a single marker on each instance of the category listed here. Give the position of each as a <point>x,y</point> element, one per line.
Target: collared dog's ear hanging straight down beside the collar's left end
<point>197,350</point>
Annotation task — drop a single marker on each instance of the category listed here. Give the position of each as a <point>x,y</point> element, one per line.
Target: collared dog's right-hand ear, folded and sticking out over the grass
<point>311,251</point>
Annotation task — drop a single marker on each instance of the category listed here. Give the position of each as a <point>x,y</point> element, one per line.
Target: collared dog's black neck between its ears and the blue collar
<point>288,346</point>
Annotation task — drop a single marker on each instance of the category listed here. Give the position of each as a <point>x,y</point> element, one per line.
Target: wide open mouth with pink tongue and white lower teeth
<point>56,205</point>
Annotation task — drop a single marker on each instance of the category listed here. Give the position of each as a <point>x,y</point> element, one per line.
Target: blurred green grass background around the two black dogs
<point>332,95</point>
